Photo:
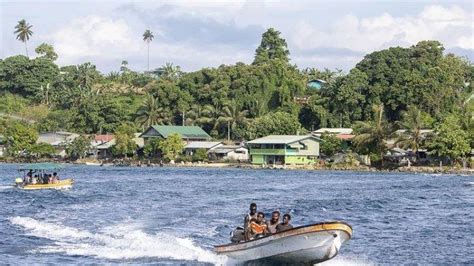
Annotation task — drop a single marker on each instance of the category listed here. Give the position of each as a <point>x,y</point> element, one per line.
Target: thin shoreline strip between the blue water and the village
<point>403,169</point>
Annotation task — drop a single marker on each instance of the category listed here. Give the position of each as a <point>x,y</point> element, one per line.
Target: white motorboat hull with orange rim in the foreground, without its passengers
<point>307,244</point>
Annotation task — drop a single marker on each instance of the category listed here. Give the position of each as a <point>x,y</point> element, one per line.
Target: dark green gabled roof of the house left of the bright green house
<point>187,133</point>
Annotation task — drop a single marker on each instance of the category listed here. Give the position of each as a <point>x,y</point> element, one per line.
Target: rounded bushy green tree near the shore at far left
<point>20,138</point>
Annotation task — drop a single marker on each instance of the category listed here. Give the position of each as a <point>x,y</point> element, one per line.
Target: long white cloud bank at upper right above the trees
<point>451,25</point>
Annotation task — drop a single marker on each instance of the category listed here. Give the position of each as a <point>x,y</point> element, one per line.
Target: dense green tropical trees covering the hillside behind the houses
<point>396,88</point>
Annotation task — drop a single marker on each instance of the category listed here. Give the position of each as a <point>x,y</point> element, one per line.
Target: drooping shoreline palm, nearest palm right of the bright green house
<point>374,134</point>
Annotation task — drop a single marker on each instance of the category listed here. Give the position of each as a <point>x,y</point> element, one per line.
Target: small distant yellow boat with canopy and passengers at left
<point>41,176</point>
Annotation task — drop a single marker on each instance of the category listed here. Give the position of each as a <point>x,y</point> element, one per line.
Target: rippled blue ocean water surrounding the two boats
<point>176,215</point>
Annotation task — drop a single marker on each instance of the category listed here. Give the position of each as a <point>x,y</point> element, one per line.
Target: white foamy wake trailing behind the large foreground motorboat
<point>116,242</point>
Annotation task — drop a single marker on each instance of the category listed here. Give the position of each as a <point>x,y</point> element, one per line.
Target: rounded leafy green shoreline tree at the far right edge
<point>450,140</point>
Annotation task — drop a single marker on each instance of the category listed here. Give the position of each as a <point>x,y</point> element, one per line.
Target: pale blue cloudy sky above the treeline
<point>196,34</point>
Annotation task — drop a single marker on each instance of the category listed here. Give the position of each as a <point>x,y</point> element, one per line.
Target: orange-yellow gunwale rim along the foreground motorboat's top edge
<point>291,232</point>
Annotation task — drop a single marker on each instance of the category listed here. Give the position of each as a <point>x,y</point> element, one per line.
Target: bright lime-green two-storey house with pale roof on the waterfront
<point>284,149</point>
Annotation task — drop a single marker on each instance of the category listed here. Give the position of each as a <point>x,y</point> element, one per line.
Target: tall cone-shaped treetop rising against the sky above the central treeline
<point>271,47</point>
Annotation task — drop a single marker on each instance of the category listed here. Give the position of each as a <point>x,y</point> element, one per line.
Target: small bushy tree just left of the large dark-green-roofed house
<point>124,140</point>
